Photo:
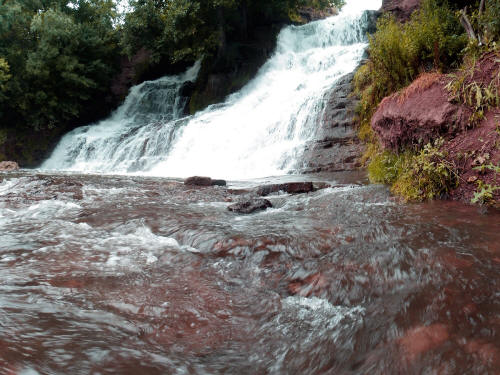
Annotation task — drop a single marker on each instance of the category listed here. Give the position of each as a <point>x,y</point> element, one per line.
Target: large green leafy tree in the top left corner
<point>62,56</point>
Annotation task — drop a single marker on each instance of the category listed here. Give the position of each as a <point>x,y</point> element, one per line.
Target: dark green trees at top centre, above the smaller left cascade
<point>185,30</point>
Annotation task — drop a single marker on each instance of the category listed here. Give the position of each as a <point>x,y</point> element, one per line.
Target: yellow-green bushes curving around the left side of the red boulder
<point>433,40</point>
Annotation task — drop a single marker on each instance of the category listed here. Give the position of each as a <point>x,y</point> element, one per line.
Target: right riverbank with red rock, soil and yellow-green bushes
<point>429,104</point>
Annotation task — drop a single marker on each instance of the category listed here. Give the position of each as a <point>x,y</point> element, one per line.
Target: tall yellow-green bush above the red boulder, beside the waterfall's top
<point>432,39</point>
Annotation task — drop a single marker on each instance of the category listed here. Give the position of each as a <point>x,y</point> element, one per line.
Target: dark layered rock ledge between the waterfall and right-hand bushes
<point>335,146</point>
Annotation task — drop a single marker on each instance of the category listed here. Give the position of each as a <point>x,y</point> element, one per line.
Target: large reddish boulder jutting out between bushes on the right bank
<point>419,114</point>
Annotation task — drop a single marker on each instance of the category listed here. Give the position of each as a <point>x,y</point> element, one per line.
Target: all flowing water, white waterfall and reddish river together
<point>133,274</point>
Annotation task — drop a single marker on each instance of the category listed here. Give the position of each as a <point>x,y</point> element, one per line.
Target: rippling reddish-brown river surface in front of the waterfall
<point>138,275</point>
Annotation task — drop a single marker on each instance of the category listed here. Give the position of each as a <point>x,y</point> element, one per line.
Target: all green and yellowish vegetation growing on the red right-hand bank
<point>436,39</point>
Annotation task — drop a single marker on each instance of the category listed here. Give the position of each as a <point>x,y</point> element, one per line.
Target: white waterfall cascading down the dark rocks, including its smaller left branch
<point>259,131</point>
